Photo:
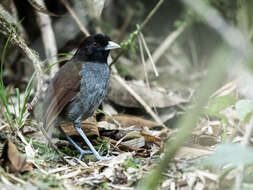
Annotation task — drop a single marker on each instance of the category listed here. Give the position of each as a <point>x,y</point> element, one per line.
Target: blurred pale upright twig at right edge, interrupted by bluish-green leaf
<point>245,143</point>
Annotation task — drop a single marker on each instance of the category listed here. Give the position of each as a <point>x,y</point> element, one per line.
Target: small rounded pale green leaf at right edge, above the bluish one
<point>244,109</point>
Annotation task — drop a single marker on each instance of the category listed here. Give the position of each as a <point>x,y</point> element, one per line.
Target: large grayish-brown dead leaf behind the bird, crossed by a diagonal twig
<point>154,97</point>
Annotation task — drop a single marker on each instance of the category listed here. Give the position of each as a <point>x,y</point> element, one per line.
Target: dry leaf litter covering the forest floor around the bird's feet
<point>137,144</point>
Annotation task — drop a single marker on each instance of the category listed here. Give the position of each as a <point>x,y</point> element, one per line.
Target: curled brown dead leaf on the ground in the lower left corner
<point>12,160</point>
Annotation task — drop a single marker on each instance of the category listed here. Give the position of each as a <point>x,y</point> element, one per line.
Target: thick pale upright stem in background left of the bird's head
<point>48,38</point>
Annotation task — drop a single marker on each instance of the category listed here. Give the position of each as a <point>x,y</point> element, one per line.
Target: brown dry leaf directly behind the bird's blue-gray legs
<point>89,127</point>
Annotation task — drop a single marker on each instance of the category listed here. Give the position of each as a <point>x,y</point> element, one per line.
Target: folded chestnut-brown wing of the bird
<point>64,86</point>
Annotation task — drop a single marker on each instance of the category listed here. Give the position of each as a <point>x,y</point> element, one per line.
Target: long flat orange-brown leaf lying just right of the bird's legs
<point>129,120</point>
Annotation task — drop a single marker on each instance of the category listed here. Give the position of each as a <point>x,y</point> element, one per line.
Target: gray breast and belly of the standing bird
<point>94,86</point>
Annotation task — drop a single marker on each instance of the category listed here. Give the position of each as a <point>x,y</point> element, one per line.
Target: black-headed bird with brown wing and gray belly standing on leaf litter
<point>78,88</point>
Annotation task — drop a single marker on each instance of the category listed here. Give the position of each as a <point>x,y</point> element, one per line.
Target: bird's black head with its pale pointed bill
<point>95,48</point>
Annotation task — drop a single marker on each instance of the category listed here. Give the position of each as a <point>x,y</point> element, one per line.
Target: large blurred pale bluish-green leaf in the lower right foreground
<point>234,154</point>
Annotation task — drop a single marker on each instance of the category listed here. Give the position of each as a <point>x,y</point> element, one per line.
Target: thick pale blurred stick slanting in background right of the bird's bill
<point>167,43</point>
